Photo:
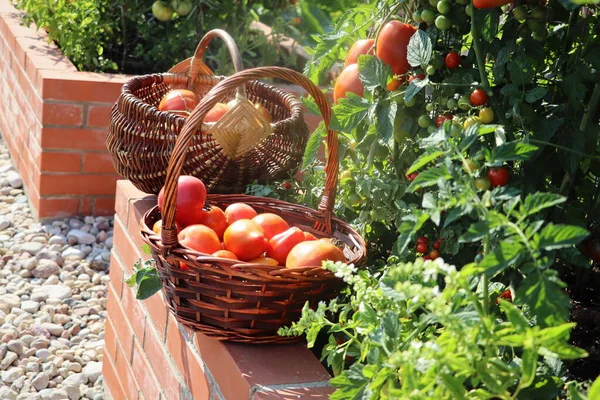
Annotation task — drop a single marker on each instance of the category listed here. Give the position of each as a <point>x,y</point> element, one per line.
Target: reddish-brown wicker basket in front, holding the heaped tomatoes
<point>234,300</point>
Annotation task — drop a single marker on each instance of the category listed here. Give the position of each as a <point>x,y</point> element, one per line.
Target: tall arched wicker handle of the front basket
<point>169,232</point>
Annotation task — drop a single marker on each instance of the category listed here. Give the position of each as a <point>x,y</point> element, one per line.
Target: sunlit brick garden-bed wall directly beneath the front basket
<point>150,356</point>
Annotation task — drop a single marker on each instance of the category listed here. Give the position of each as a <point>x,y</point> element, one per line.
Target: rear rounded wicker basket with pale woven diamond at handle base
<point>227,155</point>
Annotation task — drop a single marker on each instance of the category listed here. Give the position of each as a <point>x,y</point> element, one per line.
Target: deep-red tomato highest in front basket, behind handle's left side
<point>191,195</point>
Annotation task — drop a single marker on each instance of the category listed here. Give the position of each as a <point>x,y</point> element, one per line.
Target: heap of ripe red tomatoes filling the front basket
<point>240,233</point>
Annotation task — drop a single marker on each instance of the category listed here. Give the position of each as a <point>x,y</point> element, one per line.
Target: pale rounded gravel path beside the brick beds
<point>53,279</point>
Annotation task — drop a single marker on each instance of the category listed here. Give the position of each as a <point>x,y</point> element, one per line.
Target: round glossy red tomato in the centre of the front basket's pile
<point>246,239</point>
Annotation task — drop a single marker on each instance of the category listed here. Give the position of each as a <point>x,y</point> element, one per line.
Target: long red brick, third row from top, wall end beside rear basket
<point>73,138</point>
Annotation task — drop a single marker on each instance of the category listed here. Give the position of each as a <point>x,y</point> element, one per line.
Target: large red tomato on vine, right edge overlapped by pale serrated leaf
<point>392,45</point>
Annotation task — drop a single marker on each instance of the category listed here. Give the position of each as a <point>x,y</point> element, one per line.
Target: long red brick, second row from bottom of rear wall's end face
<point>77,184</point>
